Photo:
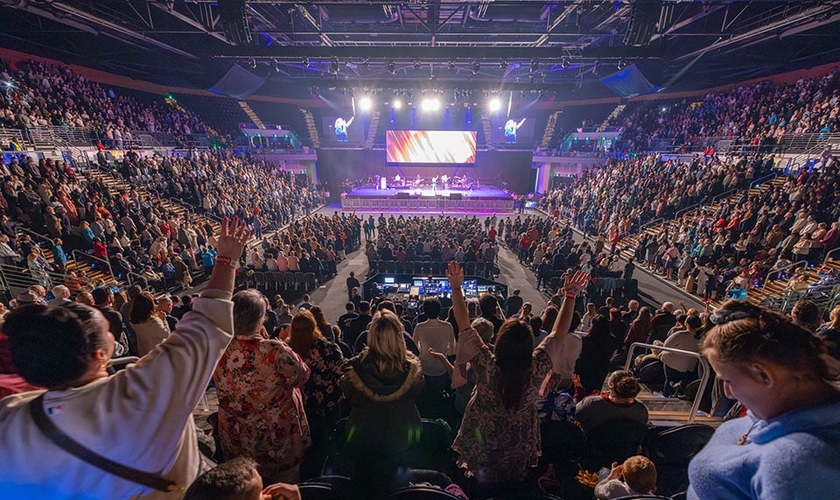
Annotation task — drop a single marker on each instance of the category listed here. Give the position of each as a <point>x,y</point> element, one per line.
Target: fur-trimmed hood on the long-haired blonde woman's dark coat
<point>360,375</point>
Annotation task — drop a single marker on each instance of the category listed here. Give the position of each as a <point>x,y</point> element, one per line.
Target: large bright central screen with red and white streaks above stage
<point>430,146</point>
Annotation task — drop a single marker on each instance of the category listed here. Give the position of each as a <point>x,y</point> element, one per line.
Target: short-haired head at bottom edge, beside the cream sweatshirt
<point>236,479</point>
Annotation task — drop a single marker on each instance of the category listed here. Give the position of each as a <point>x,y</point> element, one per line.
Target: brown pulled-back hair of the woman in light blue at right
<point>743,333</point>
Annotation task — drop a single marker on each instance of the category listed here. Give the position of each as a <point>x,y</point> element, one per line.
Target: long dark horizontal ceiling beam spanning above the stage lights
<point>432,53</point>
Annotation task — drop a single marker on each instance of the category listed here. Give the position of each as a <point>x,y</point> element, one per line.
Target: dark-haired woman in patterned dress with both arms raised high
<point>499,438</point>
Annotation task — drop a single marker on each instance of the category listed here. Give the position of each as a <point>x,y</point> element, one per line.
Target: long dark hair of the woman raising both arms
<point>514,349</point>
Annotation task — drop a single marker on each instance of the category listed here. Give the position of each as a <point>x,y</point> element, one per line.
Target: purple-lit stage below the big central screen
<point>488,199</point>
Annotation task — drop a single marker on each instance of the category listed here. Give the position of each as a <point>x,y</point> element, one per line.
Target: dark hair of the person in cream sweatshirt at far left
<point>53,346</point>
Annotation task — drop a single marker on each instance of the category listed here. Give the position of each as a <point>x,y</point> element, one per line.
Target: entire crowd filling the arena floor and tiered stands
<point>495,397</point>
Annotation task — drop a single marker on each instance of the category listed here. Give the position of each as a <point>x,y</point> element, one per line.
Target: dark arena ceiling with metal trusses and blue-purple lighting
<point>524,44</point>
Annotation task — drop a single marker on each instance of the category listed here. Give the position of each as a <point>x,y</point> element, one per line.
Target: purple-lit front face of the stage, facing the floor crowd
<point>427,204</point>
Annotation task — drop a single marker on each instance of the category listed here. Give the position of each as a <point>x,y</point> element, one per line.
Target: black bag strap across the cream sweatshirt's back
<point>65,442</point>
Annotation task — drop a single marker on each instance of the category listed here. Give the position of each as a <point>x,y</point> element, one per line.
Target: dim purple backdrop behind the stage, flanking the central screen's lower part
<point>509,169</point>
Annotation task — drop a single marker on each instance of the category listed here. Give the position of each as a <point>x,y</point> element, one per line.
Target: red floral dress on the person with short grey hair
<point>260,405</point>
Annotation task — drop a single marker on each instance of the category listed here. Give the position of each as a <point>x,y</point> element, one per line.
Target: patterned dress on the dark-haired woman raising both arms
<point>495,445</point>
